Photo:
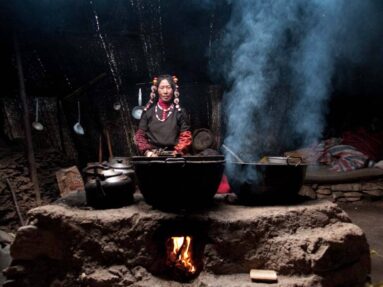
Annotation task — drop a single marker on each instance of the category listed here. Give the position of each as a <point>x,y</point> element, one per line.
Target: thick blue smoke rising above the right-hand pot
<point>278,58</point>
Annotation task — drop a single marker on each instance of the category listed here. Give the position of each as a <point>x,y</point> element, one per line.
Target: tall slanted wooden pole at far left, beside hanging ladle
<point>27,124</point>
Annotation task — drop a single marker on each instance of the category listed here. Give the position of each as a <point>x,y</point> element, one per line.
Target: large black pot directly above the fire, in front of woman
<point>178,183</point>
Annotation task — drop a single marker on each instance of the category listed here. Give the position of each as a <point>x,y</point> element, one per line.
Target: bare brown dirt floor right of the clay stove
<point>368,215</point>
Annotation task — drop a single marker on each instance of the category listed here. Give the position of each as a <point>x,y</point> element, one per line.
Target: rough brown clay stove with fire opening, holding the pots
<point>310,244</point>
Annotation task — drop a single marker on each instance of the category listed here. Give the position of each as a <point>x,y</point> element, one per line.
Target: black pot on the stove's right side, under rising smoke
<point>266,184</point>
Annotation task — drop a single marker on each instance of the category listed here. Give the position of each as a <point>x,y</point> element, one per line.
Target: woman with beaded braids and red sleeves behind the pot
<point>164,124</point>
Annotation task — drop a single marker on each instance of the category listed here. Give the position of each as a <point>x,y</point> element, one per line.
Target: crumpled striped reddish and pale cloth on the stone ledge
<point>343,158</point>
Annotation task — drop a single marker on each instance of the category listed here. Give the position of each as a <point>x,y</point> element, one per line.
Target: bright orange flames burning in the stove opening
<point>180,254</point>
